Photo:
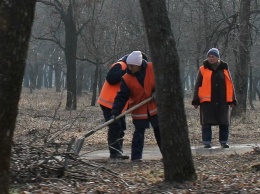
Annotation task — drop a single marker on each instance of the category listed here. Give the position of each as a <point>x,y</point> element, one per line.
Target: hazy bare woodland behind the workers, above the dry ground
<point>74,43</point>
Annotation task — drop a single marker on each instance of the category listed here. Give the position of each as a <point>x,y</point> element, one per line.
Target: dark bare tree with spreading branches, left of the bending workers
<point>68,17</point>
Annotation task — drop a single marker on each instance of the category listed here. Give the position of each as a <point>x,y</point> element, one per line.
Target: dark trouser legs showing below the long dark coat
<point>207,134</point>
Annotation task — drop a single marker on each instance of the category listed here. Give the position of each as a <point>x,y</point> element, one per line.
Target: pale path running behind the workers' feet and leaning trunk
<point>153,153</point>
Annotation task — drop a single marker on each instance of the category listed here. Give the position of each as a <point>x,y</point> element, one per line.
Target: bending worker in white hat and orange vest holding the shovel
<point>136,86</point>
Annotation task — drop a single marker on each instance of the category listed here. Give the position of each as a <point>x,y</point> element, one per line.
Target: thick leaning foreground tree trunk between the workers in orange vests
<point>176,151</point>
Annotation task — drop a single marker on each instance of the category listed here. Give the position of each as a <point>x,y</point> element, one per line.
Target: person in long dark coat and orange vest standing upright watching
<point>214,92</point>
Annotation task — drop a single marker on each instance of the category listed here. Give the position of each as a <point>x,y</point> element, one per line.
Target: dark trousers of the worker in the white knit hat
<point>138,136</point>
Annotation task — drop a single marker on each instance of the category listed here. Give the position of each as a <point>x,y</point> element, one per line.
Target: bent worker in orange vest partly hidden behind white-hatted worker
<point>106,98</point>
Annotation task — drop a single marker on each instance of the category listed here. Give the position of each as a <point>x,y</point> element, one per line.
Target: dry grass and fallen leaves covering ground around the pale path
<point>42,118</point>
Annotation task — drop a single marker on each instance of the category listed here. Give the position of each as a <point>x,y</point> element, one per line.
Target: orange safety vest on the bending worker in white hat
<point>140,93</point>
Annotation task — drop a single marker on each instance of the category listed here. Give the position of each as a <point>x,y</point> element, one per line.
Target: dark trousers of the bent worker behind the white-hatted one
<point>115,132</point>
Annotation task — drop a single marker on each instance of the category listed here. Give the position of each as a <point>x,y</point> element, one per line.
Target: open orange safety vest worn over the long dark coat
<point>204,92</point>
